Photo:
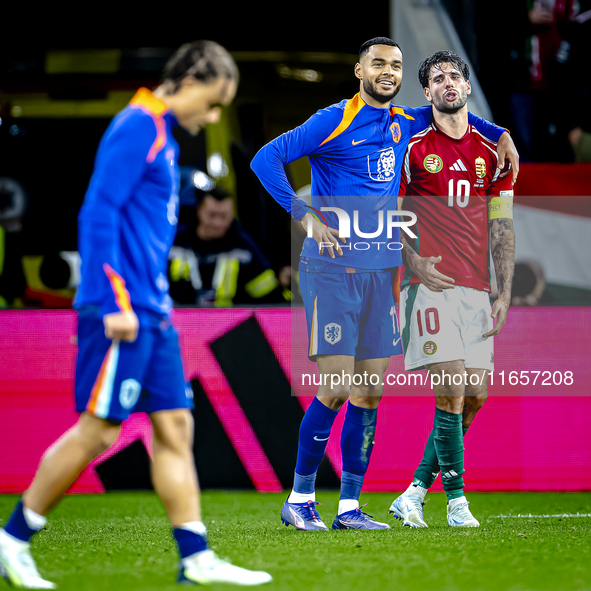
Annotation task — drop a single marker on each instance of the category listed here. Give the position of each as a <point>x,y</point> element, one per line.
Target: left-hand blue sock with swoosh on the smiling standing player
<point>314,433</point>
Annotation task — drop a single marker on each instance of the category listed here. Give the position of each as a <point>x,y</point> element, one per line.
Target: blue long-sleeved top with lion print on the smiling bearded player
<point>356,153</point>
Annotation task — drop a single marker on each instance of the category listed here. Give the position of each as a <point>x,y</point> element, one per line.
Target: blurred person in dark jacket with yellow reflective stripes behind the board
<point>214,261</point>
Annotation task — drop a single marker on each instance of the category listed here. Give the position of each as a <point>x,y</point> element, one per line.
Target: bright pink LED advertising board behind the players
<point>534,432</point>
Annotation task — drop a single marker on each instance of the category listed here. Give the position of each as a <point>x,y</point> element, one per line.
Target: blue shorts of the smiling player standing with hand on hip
<point>350,314</point>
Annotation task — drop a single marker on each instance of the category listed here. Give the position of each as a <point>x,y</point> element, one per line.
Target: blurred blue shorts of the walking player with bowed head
<point>115,379</point>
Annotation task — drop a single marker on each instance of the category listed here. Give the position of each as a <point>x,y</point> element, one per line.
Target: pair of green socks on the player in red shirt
<point>444,451</point>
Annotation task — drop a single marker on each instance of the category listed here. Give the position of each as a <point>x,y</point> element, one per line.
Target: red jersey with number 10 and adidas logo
<point>448,183</point>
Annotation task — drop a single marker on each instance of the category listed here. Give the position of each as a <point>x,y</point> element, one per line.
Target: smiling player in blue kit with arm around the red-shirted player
<point>356,149</point>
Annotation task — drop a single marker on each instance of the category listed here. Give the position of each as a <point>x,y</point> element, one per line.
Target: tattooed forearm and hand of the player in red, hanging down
<point>502,238</point>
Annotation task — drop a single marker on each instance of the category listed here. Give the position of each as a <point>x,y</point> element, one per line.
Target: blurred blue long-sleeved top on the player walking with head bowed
<point>128,219</point>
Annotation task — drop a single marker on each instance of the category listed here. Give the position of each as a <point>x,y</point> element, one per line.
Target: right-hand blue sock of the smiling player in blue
<point>357,441</point>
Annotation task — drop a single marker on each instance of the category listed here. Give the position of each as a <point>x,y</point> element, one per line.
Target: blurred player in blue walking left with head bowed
<point>128,353</point>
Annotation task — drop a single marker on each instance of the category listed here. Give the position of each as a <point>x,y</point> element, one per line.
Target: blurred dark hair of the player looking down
<point>204,60</point>
